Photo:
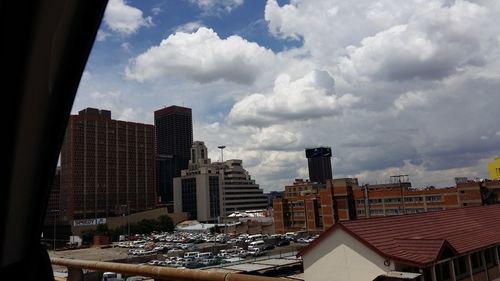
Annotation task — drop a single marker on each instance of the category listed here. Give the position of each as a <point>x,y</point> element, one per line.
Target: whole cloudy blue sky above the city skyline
<point>394,87</point>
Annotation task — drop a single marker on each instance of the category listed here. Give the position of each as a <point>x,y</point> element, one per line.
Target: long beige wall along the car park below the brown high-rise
<point>114,222</point>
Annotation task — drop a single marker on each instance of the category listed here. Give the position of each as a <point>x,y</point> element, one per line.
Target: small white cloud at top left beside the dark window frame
<point>125,19</point>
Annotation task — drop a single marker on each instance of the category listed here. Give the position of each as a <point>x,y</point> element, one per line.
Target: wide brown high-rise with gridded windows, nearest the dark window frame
<point>107,165</point>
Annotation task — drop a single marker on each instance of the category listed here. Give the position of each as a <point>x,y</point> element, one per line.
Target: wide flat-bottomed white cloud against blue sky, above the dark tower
<point>201,56</point>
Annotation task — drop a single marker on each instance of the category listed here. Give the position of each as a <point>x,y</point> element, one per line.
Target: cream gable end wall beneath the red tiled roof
<point>341,257</point>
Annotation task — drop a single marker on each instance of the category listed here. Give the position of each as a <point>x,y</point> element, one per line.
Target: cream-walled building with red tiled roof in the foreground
<point>458,244</point>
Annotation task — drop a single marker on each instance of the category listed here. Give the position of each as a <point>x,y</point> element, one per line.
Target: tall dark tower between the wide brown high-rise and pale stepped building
<point>174,137</point>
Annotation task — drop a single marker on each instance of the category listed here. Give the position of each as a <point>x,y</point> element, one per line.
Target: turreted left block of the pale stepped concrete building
<point>199,190</point>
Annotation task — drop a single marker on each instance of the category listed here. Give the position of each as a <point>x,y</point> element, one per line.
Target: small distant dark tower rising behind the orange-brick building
<point>319,163</point>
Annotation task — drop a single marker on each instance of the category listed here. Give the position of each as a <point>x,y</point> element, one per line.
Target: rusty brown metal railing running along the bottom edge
<point>75,271</point>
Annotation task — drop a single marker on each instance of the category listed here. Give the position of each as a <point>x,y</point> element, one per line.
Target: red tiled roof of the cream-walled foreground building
<point>420,238</point>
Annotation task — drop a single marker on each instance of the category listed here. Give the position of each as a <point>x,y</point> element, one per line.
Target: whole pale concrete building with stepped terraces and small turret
<point>207,191</point>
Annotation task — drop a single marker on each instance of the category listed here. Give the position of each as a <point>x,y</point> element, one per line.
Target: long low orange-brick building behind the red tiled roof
<point>311,207</point>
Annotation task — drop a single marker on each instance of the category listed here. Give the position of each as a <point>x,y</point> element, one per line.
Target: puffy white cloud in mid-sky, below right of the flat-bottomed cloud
<point>309,97</point>
